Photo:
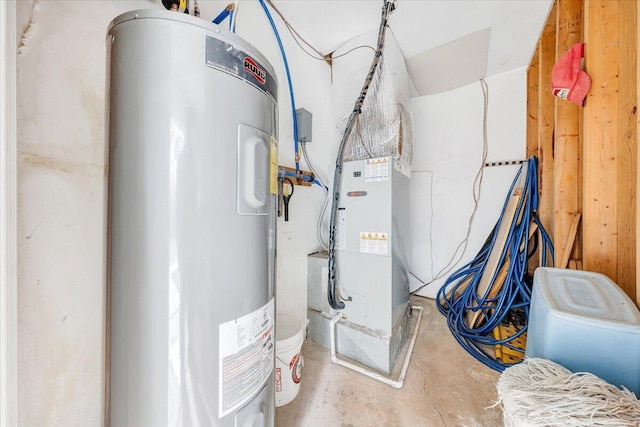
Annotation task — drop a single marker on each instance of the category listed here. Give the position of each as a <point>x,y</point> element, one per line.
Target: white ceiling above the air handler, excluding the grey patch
<point>421,25</point>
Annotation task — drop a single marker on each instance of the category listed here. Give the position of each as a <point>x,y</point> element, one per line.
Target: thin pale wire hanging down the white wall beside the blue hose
<point>477,189</point>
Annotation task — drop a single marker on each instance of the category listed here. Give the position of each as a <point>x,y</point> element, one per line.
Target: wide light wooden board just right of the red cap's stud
<point>600,239</point>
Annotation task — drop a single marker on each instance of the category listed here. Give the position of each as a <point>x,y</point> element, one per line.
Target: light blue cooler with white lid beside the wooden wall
<point>585,322</point>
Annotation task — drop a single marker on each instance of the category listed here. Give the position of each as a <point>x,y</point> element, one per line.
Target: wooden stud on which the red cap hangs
<point>566,154</point>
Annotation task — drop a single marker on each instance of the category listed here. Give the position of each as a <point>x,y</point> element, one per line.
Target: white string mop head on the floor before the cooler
<point>539,392</point>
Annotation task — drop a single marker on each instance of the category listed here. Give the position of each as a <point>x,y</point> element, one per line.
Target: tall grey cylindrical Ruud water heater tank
<point>192,189</point>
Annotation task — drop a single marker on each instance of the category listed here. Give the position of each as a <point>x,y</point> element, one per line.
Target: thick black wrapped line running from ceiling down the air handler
<point>336,304</point>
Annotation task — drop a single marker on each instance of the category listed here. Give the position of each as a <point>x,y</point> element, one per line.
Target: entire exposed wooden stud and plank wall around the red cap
<point>588,154</point>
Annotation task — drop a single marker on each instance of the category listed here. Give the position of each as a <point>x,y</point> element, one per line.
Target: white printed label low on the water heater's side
<point>246,357</point>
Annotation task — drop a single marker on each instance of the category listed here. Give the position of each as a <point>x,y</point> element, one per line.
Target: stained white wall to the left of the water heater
<point>61,174</point>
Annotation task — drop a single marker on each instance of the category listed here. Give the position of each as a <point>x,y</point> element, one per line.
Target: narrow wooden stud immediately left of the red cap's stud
<point>547,59</point>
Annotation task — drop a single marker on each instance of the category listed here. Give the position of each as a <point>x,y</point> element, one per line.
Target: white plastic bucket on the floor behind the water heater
<point>289,361</point>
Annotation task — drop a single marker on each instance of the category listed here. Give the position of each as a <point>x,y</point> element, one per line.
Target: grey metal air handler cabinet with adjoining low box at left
<point>371,260</point>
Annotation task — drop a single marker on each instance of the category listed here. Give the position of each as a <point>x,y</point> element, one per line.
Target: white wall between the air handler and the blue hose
<point>448,154</point>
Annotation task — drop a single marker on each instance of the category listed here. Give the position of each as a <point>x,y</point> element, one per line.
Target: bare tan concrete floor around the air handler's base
<point>444,386</point>
